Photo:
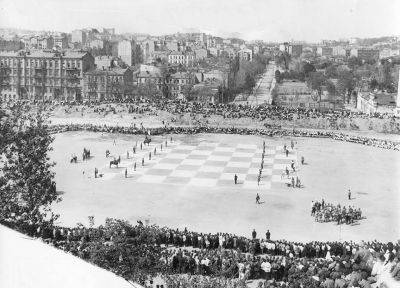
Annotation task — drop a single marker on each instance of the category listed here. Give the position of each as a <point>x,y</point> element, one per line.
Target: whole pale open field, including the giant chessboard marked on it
<point>219,205</point>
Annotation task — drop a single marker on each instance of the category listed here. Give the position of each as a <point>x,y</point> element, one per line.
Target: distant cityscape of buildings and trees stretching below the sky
<point>97,65</point>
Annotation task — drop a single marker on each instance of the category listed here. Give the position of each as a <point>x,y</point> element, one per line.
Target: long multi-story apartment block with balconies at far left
<point>45,76</point>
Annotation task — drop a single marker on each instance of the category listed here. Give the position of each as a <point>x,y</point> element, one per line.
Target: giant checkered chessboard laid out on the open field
<point>207,164</point>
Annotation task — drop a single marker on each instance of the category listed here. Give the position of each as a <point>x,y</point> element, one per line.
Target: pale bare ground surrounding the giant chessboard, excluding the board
<point>372,174</point>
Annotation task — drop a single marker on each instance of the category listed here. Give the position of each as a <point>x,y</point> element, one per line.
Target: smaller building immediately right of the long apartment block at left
<point>107,84</point>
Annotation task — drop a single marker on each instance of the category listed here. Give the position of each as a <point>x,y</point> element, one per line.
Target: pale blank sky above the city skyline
<point>268,20</point>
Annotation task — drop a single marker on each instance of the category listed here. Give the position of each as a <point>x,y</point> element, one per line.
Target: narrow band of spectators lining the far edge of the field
<point>386,144</point>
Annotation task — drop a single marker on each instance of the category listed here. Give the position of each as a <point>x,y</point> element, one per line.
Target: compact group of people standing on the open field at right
<point>327,212</point>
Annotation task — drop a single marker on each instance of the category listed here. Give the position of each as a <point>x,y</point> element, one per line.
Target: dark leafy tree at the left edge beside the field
<point>27,186</point>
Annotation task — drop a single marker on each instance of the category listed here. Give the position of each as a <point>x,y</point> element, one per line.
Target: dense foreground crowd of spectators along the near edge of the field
<point>137,251</point>
